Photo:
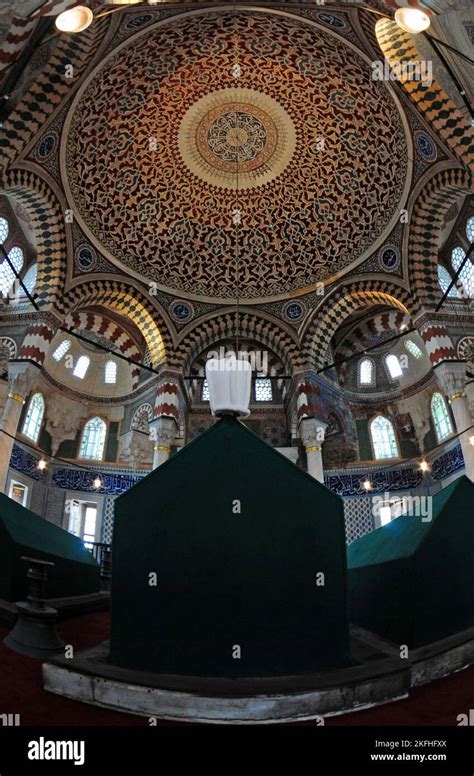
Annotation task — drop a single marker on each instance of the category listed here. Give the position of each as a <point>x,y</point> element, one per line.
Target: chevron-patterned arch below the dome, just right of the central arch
<point>342,303</point>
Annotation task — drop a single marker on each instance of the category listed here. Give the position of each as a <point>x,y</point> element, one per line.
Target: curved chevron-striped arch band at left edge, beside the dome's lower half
<point>47,221</point>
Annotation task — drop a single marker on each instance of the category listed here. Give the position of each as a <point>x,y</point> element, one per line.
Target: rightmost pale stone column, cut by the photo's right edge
<point>452,378</point>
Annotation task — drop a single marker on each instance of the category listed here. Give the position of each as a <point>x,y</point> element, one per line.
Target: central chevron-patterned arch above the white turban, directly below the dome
<point>251,327</point>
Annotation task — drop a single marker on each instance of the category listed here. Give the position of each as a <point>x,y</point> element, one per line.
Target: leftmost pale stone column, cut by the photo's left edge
<point>20,379</point>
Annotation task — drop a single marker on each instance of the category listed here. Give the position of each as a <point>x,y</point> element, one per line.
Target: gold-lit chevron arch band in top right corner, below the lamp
<point>439,109</point>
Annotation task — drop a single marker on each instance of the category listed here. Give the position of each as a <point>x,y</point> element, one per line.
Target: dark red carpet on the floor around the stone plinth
<point>21,691</point>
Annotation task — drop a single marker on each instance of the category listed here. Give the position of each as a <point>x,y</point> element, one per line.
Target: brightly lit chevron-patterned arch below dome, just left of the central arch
<point>129,302</point>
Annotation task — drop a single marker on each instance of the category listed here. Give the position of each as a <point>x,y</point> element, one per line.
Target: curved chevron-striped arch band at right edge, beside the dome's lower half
<point>426,224</point>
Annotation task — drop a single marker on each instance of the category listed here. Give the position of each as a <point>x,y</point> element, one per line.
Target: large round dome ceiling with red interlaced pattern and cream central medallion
<point>220,156</point>
